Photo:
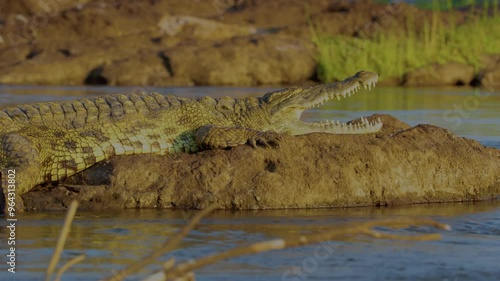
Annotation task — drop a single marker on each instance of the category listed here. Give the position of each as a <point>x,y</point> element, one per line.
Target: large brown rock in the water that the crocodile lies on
<point>416,165</point>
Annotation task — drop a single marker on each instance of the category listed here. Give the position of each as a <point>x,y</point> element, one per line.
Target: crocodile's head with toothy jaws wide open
<point>286,106</point>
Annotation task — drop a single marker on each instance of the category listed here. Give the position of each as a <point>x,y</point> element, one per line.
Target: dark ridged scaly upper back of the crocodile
<point>76,114</point>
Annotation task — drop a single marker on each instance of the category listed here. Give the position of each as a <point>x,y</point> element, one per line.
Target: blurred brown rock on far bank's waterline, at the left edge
<point>111,62</point>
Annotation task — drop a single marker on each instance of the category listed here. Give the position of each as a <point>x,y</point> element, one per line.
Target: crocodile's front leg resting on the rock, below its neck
<point>210,136</point>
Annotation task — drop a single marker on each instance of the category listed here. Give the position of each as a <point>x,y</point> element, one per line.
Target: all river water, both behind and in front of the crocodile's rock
<point>111,240</point>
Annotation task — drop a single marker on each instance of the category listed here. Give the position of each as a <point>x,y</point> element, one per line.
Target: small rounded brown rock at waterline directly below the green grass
<point>449,74</point>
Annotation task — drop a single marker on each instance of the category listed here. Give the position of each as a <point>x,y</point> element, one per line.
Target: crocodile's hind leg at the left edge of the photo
<point>20,166</point>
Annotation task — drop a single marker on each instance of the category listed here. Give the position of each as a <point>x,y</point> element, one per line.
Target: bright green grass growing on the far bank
<point>392,53</point>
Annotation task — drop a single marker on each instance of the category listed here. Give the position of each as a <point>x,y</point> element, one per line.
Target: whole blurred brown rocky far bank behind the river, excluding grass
<point>186,43</point>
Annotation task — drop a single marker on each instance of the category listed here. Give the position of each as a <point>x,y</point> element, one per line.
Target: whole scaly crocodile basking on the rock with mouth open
<point>49,141</point>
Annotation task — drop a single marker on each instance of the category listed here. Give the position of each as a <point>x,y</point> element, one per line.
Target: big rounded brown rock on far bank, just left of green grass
<point>253,60</point>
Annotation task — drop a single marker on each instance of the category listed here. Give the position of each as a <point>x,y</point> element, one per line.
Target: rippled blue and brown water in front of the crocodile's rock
<point>112,240</point>
